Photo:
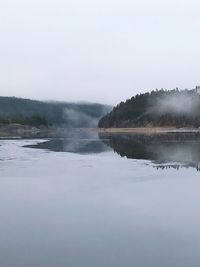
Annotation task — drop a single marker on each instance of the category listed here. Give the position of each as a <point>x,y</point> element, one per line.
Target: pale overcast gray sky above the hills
<point>100,51</point>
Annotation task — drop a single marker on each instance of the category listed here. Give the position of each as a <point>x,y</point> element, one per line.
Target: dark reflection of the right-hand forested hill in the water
<point>176,148</point>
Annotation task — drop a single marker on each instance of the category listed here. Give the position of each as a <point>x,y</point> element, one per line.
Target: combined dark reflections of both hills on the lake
<point>172,150</point>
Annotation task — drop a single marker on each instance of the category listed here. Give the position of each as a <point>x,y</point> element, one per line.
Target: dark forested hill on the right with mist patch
<point>158,108</point>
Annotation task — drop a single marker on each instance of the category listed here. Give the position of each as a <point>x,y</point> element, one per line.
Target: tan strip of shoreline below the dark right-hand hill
<point>149,130</point>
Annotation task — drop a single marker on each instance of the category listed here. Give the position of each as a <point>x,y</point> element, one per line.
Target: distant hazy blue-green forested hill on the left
<point>26,111</point>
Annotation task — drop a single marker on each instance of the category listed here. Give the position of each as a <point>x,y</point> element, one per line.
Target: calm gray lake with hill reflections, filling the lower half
<point>108,200</point>
